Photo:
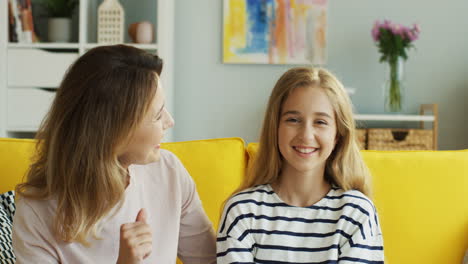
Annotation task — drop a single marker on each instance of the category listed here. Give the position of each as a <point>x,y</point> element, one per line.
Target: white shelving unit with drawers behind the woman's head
<point>29,72</point>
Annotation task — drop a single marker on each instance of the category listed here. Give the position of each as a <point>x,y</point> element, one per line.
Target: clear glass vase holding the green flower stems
<point>394,86</point>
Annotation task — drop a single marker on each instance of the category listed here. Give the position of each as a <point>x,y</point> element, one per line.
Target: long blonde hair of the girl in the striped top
<point>345,167</point>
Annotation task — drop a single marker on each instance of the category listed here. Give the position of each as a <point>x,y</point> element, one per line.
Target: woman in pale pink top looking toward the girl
<point>100,189</point>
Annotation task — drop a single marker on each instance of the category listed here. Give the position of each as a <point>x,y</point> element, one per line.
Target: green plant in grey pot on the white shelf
<point>59,23</point>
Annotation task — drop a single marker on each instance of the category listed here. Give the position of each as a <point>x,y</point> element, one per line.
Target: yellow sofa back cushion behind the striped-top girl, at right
<point>422,202</point>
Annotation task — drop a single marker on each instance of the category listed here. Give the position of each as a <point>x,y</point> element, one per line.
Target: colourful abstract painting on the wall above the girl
<point>275,31</point>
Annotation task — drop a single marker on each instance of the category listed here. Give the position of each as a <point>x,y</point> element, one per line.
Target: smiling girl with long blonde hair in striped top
<point>305,198</point>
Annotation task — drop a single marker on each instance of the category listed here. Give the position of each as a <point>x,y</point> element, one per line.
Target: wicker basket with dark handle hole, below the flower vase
<point>399,139</point>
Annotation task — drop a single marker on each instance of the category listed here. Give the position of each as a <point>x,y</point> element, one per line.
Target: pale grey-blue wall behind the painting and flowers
<point>215,100</point>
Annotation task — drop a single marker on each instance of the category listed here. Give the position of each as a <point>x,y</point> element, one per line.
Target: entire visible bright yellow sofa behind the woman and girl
<point>421,196</point>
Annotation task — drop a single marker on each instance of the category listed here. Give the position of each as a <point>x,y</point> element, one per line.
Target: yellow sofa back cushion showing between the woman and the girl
<point>217,167</point>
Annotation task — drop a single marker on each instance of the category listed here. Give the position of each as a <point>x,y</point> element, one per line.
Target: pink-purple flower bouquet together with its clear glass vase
<point>393,41</point>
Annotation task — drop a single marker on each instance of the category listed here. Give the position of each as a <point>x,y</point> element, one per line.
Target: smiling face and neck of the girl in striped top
<point>307,130</point>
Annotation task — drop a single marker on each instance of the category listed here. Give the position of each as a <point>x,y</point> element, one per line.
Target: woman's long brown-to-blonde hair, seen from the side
<point>100,102</point>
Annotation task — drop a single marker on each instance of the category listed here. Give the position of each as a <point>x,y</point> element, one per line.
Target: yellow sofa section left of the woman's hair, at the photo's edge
<point>15,157</point>
